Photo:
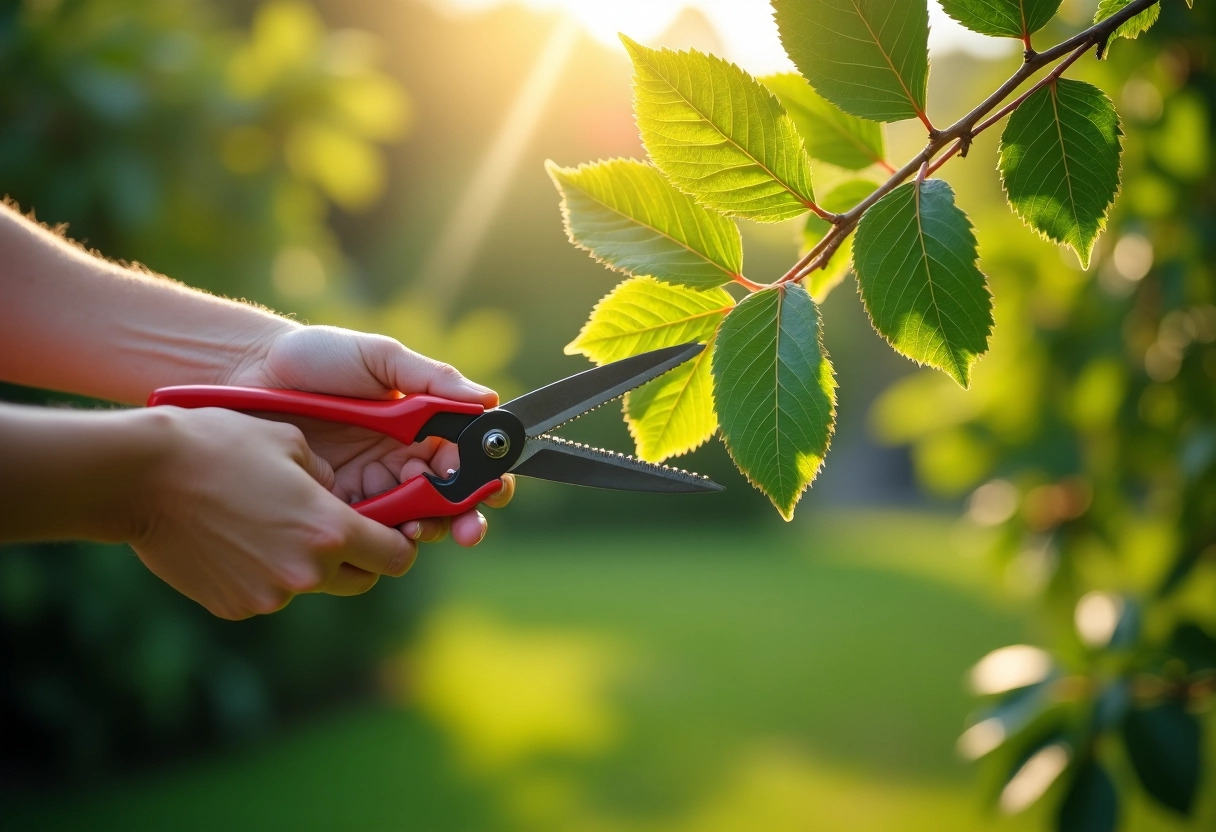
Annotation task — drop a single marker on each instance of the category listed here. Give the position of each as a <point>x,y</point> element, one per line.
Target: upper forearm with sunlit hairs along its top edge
<point>75,323</point>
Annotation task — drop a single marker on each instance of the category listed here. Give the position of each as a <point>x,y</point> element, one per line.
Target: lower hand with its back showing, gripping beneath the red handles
<point>237,514</point>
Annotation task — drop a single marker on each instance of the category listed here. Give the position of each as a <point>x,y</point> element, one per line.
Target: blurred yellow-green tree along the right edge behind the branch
<point>1089,445</point>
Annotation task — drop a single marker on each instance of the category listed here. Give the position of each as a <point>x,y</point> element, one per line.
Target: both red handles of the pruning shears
<point>399,419</point>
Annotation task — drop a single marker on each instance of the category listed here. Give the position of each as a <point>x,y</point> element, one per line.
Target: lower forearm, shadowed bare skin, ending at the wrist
<point>76,475</point>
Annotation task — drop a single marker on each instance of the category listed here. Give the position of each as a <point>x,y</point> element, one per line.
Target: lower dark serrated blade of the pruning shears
<point>549,458</point>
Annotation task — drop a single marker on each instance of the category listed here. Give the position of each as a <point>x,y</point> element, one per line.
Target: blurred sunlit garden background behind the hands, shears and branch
<point>610,662</point>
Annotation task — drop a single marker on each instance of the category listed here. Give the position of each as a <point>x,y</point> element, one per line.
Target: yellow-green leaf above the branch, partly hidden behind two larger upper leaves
<point>829,133</point>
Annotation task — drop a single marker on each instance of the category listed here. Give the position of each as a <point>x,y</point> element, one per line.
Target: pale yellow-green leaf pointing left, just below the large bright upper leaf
<point>628,216</point>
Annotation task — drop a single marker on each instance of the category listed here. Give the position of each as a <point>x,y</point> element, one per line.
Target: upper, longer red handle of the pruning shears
<point>401,419</point>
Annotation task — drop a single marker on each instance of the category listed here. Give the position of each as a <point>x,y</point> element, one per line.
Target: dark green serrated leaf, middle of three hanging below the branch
<point>915,257</point>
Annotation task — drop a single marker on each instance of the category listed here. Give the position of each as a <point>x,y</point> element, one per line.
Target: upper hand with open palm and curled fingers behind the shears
<point>324,359</point>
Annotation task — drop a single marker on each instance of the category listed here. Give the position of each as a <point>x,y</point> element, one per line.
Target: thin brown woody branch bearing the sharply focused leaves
<point>958,137</point>
